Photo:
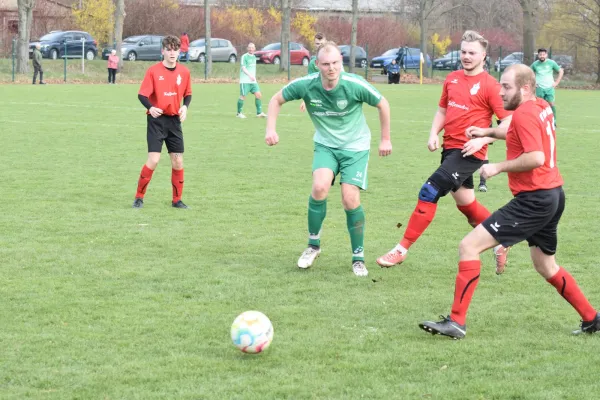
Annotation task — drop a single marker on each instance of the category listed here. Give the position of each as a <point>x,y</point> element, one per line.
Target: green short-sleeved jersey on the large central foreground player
<point>336,114</point>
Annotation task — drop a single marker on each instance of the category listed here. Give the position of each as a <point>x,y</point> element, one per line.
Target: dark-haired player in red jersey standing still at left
<point>164,87</point>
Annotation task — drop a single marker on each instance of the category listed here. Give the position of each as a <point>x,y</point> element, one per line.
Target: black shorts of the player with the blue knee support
<point>455,171</point>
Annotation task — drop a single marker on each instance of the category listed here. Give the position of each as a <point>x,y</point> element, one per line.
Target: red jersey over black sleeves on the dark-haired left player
<point>165,88</point>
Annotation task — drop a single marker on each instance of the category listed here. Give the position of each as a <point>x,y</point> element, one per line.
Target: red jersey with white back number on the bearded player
<point>532,129</point>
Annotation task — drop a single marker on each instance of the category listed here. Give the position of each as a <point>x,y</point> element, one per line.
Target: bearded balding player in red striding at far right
<point>532,214</point>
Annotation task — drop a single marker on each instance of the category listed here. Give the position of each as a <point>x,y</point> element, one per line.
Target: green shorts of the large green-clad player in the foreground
<point>352,165</point>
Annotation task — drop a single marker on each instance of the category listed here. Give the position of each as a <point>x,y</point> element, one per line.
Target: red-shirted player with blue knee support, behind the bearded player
<point>469,98</point>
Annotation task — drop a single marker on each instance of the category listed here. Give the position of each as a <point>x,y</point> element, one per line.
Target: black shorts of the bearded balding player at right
<point>531,216</point>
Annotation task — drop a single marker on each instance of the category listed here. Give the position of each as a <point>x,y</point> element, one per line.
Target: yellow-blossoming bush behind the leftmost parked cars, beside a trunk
<point>95,17</point>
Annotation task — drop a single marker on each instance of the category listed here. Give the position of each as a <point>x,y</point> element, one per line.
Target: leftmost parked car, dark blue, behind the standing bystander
<point>54,44</point>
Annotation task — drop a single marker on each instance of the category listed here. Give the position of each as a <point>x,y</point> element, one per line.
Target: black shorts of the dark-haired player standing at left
<point>164,129</point>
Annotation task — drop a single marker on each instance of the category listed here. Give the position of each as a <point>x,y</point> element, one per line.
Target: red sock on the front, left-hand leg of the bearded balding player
<point>466,282</point>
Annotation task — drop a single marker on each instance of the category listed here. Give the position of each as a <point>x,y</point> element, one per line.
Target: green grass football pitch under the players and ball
<point>100,301</point>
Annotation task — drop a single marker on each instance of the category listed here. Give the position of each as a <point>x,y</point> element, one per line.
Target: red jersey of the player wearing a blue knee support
<point>469,101</point>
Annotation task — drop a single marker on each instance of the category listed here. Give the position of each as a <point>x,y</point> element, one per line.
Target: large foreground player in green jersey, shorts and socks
<point>342,141</point>
